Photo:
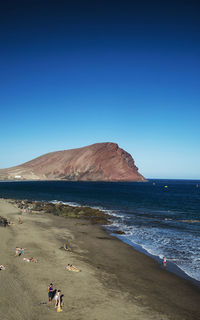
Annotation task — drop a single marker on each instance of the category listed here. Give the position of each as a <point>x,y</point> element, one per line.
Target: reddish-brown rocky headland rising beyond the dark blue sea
<point>97,162</point>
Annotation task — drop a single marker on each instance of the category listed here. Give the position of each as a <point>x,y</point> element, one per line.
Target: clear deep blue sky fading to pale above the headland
<point>73,73</point>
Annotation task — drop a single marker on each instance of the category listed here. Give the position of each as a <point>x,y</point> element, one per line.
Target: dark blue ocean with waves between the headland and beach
<point>160,216</point>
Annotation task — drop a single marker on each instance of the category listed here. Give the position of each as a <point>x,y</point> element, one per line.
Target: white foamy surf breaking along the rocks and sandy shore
<point>154,242</point>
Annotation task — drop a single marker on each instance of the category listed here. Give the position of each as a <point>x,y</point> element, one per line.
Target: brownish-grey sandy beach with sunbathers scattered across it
<point>115,282</point>
